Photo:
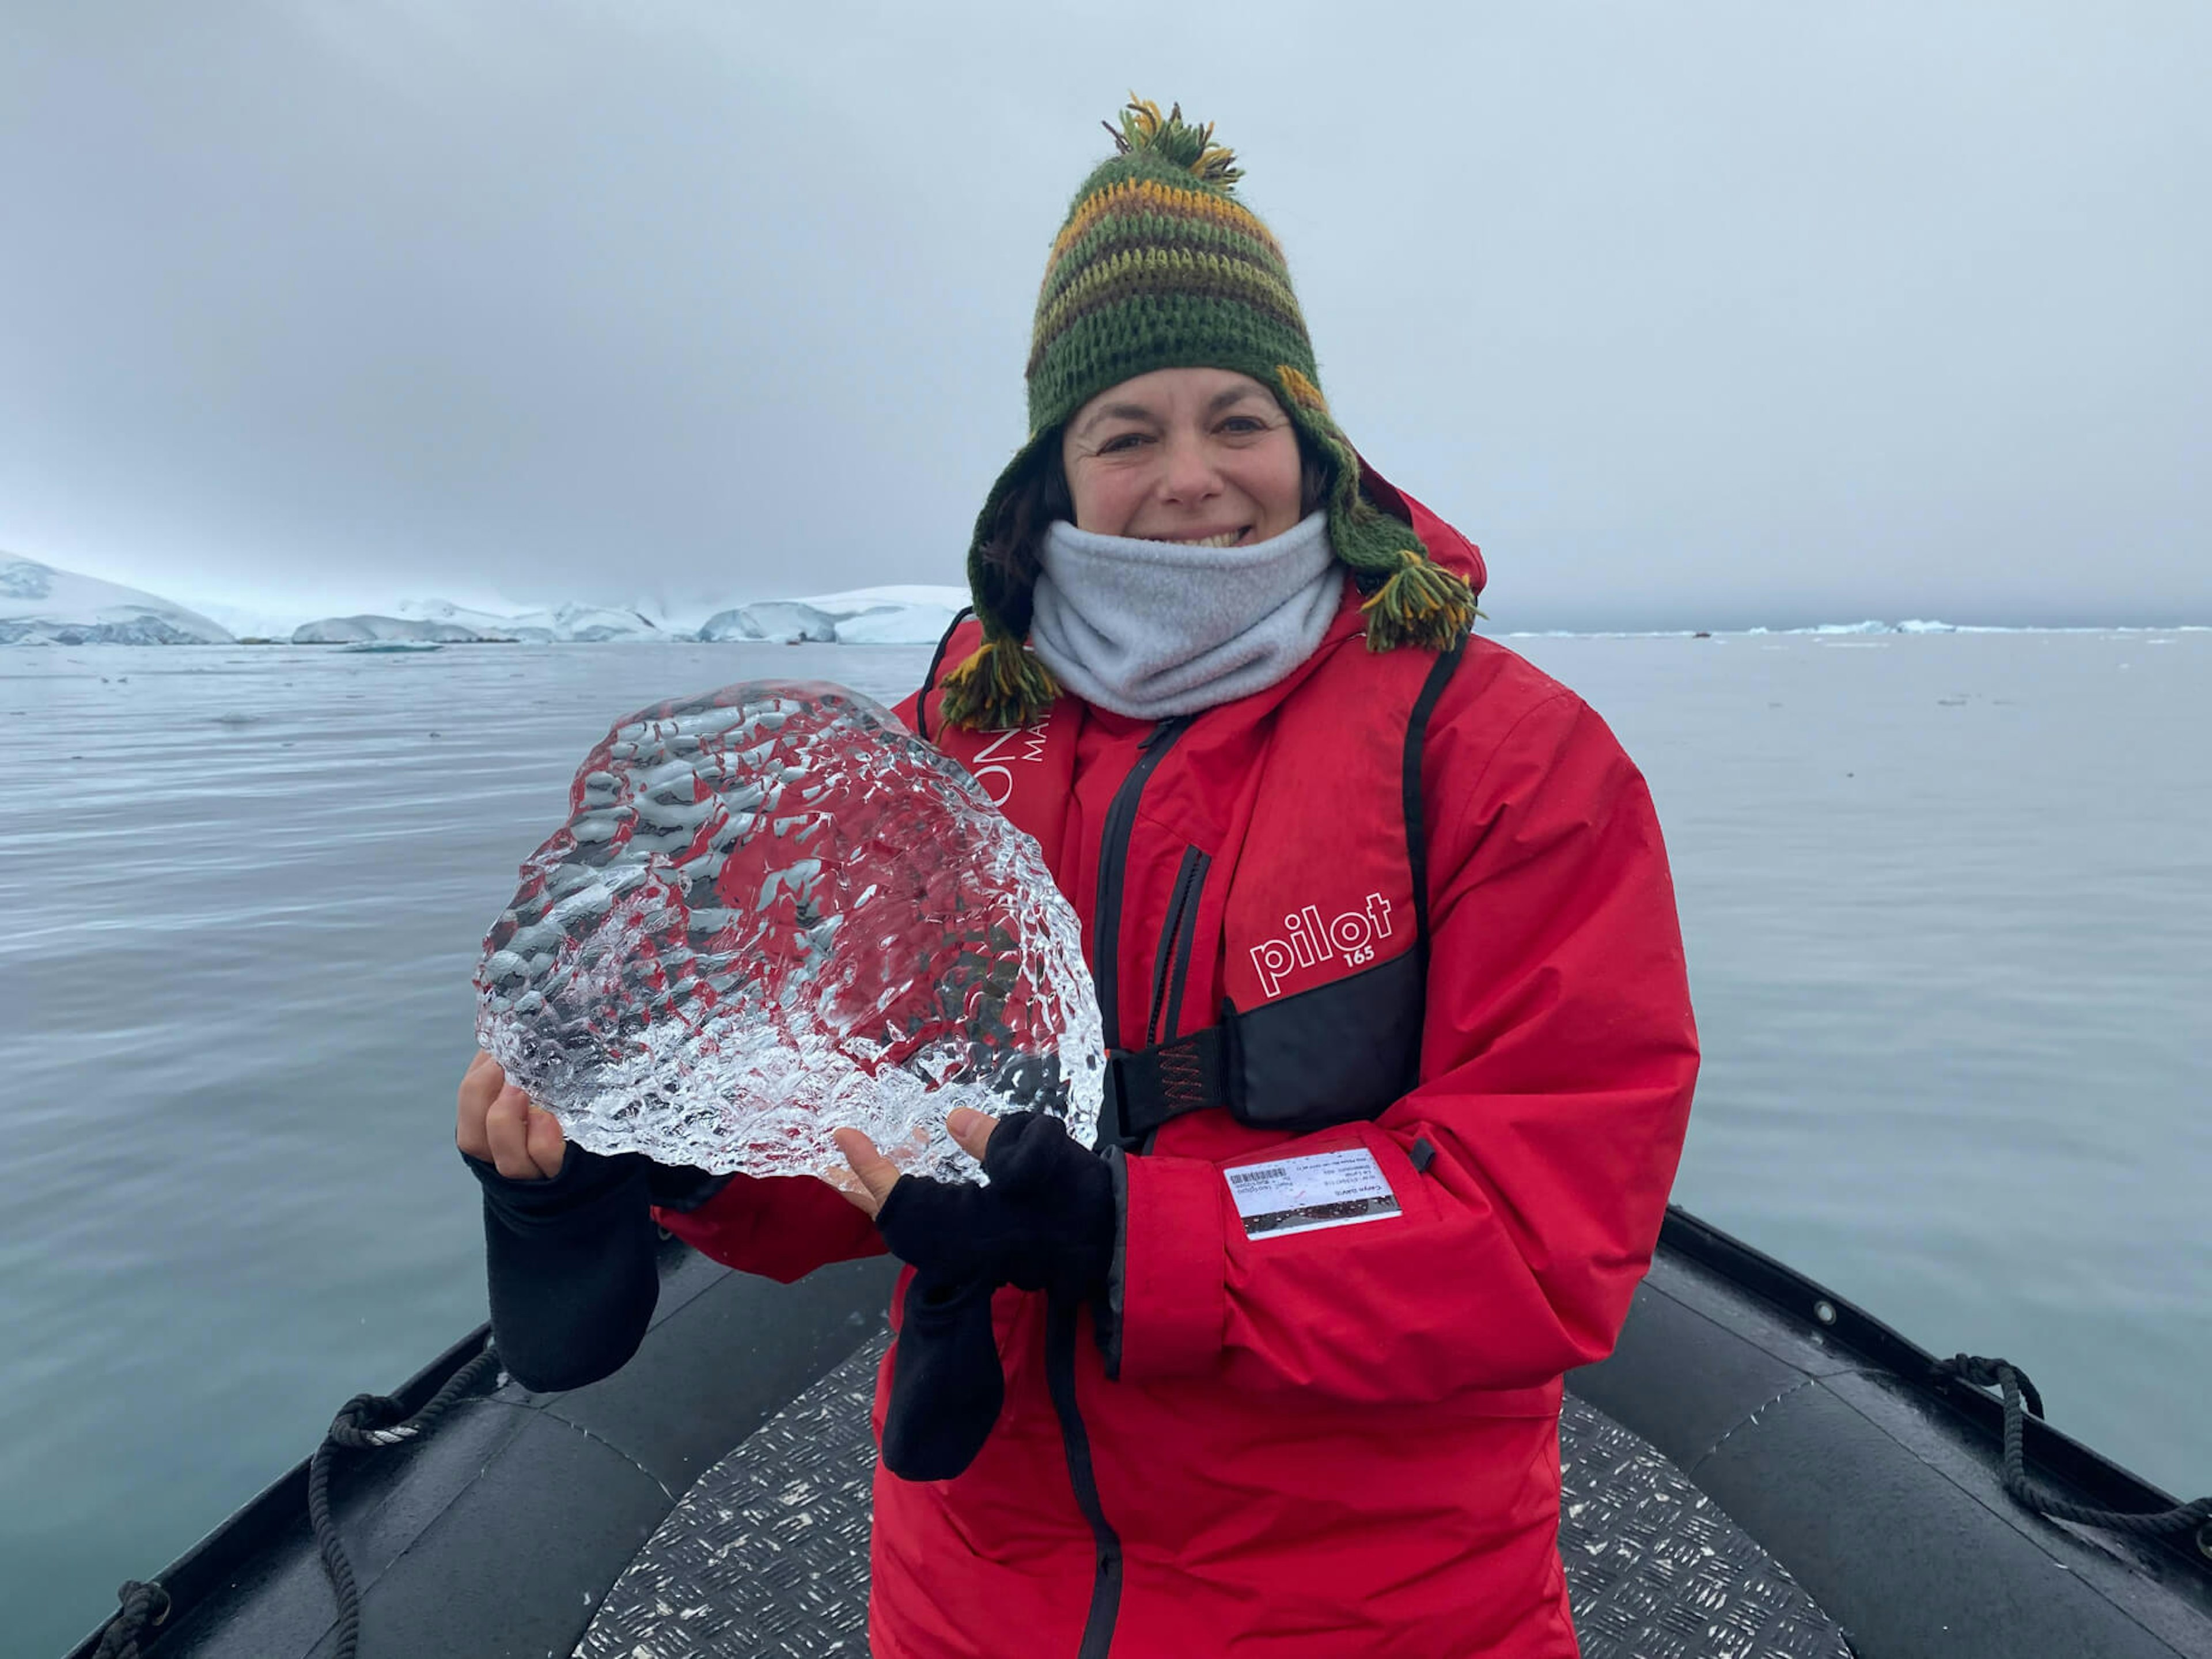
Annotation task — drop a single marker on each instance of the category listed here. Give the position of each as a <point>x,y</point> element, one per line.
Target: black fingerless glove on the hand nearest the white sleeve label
<point>1047,1222</point>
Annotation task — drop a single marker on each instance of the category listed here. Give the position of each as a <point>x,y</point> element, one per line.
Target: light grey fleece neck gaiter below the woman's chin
<point>1156,629</point>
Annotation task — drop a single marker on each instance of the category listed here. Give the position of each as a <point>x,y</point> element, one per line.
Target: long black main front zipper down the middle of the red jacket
<point>1061,1317</point>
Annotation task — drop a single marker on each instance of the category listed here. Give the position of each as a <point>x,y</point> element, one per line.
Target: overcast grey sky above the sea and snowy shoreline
<point>1711,313</point>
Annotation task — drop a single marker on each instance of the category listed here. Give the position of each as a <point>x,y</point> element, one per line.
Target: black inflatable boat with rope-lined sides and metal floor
<point>1762,1472</point>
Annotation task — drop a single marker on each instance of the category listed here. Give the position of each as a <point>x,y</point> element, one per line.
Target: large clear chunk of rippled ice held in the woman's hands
<point>771,915</point>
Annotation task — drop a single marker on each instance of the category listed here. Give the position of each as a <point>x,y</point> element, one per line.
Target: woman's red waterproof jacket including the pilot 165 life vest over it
<point>1319,1417</point>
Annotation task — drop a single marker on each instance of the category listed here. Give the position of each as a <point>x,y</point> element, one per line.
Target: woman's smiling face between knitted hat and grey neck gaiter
<point>1185,457</point>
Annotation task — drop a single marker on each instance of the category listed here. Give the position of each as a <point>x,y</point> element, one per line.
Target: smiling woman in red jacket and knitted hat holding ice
<point>1397,1021</point>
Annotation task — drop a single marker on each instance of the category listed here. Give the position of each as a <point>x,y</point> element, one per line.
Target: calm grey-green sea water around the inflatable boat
<point>1950,917</point>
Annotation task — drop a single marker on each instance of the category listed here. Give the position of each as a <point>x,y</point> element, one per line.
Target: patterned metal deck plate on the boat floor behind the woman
<point>769,1552</point>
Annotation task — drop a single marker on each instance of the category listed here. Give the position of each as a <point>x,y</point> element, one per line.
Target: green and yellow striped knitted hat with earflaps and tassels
<point>1160,267</point>
